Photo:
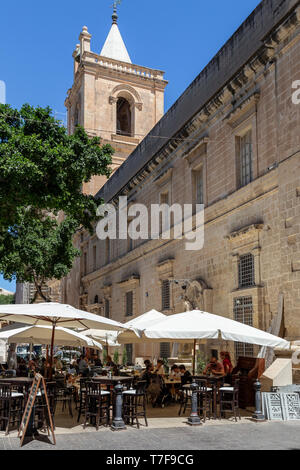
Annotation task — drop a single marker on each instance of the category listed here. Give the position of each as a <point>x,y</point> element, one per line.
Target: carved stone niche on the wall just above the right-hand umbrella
<point>199,296</point>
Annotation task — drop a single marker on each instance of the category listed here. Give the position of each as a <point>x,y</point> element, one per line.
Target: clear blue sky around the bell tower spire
<point>38,38</point>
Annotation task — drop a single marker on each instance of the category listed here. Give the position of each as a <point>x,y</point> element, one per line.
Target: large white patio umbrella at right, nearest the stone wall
<point>195,324</point>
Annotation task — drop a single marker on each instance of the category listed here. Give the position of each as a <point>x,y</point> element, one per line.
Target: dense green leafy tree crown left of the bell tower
<point>42,169</point>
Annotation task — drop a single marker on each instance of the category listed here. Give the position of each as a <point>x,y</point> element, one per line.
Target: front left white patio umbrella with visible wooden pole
<point>55,314</point>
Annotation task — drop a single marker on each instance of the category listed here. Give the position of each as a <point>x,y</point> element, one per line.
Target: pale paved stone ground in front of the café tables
<point>253,436</point>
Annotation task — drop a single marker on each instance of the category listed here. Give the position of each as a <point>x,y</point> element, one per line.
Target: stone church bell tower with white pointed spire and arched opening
<point>112,98</point>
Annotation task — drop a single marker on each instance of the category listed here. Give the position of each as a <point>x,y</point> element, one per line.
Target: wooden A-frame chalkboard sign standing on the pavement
<point>38,382</point>
